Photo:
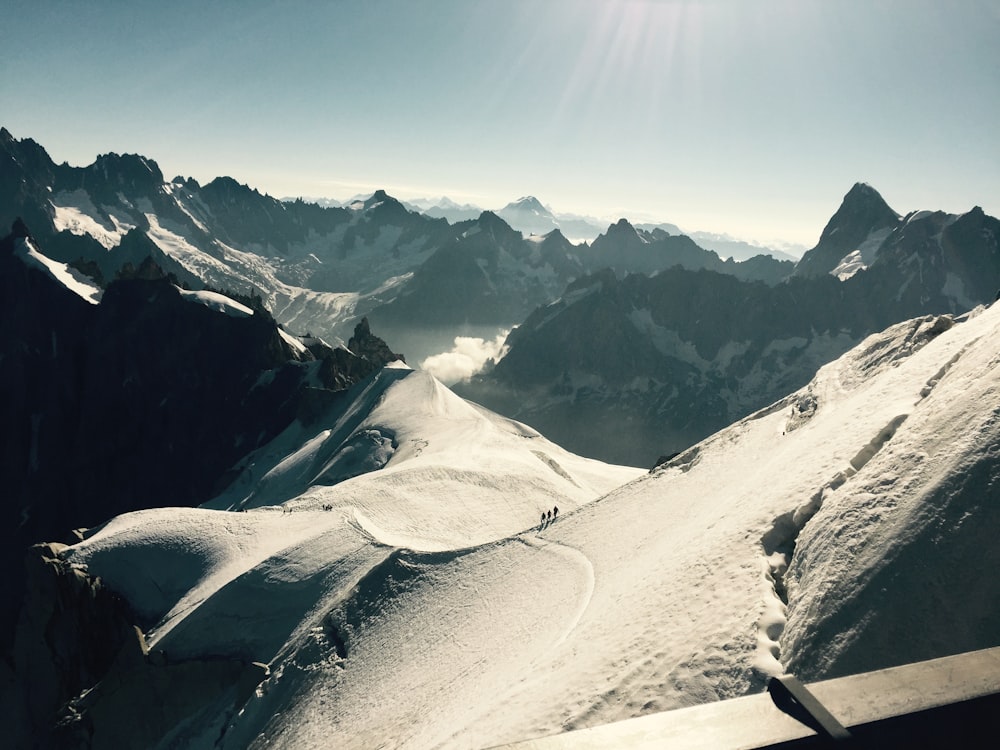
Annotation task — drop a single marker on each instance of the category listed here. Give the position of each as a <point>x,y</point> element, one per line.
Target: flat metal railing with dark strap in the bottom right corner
<point>950,702</point>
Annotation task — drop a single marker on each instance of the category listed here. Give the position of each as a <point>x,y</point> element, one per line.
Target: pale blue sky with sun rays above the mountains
<point>740,116</point>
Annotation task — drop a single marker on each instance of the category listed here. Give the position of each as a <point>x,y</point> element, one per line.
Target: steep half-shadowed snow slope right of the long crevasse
<point>907,548</point>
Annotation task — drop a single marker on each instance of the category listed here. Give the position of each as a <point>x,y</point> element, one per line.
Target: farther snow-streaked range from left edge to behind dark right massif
<point>421,281</point>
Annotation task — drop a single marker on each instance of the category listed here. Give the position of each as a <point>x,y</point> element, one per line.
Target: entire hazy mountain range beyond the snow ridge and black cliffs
<point>715,338</point>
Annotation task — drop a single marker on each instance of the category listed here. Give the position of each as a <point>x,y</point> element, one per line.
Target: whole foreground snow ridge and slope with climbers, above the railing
<point>417,604</point>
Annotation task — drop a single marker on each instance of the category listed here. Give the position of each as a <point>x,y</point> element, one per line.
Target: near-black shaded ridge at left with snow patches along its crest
<point>149,398</point>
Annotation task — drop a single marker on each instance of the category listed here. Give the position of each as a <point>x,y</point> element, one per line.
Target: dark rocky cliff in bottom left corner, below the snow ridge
<point>80,664</point>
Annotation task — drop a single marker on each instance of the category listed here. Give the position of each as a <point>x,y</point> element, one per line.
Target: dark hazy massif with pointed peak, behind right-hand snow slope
<point>630,369</point>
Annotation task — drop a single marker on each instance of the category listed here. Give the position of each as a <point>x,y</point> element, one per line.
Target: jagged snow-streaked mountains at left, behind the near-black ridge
<point>318,270</point>
